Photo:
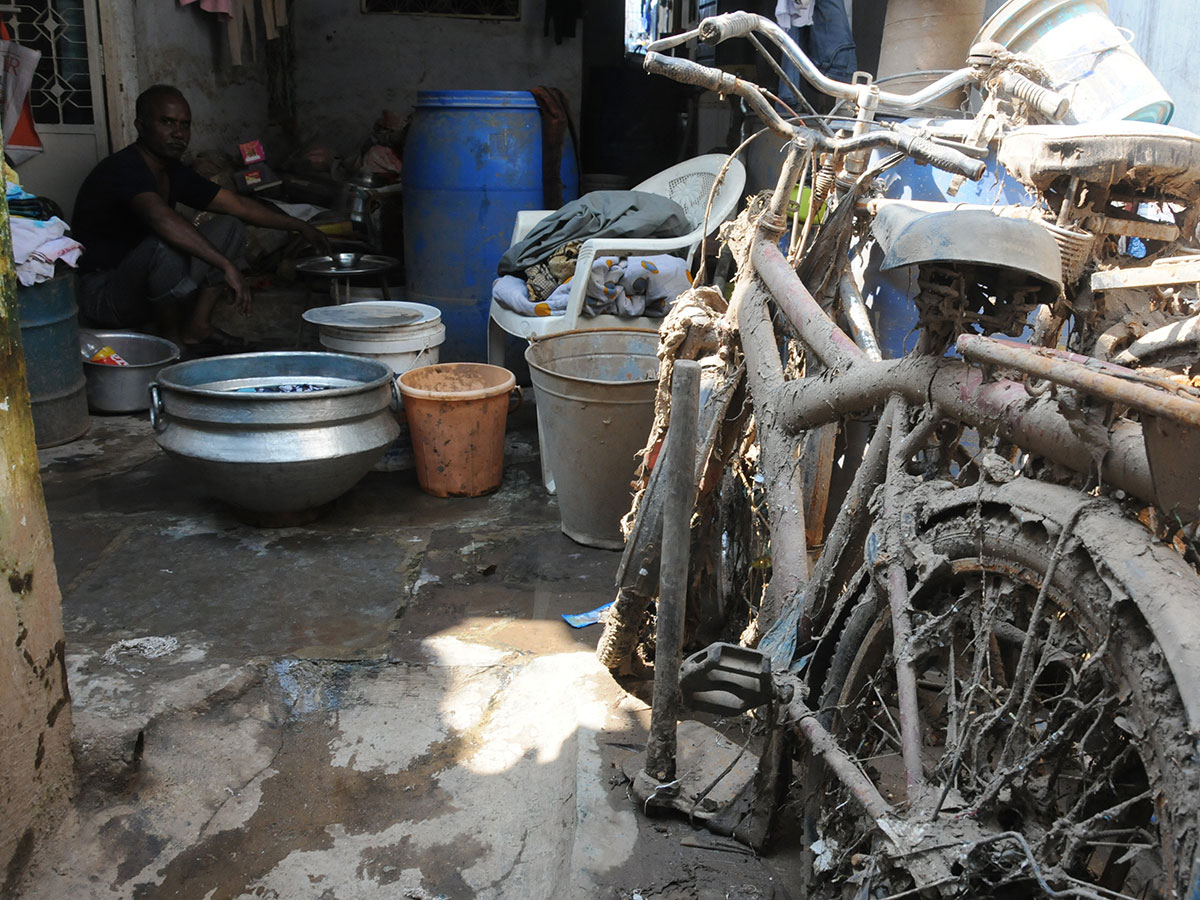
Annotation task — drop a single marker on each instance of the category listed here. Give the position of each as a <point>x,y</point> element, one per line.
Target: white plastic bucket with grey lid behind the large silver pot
<point>400,334</point>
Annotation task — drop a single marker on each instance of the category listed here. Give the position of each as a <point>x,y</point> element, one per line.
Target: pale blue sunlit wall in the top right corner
<point>1166,34</point>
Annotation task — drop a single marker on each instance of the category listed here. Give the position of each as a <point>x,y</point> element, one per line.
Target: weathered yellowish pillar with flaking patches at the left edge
<point>35,705</point>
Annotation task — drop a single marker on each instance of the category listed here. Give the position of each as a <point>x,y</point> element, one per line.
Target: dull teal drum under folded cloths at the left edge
<point>50,339</point>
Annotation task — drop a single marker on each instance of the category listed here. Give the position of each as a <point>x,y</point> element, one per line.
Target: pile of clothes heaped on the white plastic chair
<point>537,274</point>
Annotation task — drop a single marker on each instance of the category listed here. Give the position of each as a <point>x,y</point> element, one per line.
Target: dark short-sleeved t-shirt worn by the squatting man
<point>105,220</point>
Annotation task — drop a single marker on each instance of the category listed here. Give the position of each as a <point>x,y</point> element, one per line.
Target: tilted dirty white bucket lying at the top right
<point>1089,59</point>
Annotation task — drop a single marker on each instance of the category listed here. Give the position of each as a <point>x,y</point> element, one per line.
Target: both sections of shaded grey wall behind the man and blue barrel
<point>349,67</point>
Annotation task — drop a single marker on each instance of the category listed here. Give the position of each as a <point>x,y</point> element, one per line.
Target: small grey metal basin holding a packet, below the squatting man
<point>125,389</point>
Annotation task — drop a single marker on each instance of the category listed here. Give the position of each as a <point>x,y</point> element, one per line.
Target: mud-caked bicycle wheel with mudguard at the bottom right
<point>1057,733</point>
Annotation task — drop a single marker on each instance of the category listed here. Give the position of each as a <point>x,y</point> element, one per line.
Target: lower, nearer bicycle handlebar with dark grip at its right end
<point>715,80</point>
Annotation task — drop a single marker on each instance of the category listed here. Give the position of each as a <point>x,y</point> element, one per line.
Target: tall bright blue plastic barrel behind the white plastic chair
<point>472,161</point>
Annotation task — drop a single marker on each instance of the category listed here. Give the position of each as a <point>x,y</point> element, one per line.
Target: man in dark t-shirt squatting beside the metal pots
<point>145,261</point>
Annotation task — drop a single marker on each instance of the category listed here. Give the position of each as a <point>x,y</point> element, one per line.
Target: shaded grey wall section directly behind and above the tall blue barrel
<point>351,67</point>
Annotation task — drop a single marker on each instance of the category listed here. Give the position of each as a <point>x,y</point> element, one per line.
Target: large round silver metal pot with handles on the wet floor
<point>224,421</point>
